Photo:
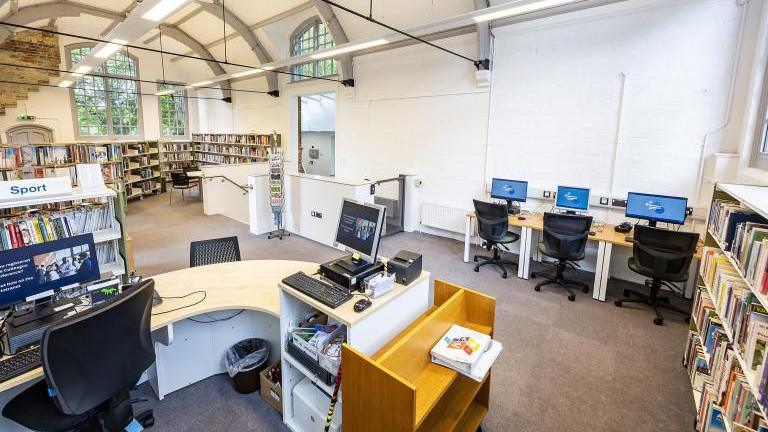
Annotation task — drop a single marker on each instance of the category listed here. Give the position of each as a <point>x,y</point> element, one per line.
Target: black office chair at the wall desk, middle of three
<point>565,239</point>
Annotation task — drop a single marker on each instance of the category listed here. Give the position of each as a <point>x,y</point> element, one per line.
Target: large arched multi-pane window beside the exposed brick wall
<point>106,106</point>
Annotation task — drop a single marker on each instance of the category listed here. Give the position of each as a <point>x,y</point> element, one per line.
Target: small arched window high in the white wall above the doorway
<point>310,37</point>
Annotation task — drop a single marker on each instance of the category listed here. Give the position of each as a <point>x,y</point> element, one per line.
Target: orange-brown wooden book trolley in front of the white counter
<point>399,388</point>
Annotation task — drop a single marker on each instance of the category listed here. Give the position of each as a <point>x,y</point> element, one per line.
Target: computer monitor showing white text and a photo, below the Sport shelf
<point>41,270</point>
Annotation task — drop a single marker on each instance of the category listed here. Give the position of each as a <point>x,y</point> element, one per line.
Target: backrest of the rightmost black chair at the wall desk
<point>664,254</point>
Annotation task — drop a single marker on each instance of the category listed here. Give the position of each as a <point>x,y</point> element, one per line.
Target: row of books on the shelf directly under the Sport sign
<point>42,227</point>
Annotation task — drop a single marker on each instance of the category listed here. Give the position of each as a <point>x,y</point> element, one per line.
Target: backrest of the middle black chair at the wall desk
<point>565,236</point>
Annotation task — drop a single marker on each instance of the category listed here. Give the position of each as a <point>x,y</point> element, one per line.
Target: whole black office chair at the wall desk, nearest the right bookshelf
<point>664,257</point>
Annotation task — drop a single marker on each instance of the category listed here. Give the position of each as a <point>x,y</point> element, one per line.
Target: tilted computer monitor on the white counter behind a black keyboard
<point>359,231</point>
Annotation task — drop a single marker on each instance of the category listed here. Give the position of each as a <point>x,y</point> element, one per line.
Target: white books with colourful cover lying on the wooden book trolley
<point>466,351</point>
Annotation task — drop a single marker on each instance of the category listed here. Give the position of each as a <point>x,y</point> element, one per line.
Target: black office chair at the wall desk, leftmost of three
<point>493,226</point>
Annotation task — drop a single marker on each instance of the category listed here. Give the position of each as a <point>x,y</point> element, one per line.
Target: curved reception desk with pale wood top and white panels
<point>188,352</point>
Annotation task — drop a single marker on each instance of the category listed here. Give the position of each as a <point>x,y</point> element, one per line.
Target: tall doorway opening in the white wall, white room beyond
<point>317,134</point>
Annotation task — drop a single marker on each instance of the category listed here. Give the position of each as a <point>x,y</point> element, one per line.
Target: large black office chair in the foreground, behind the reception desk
<point>91,362</point>
